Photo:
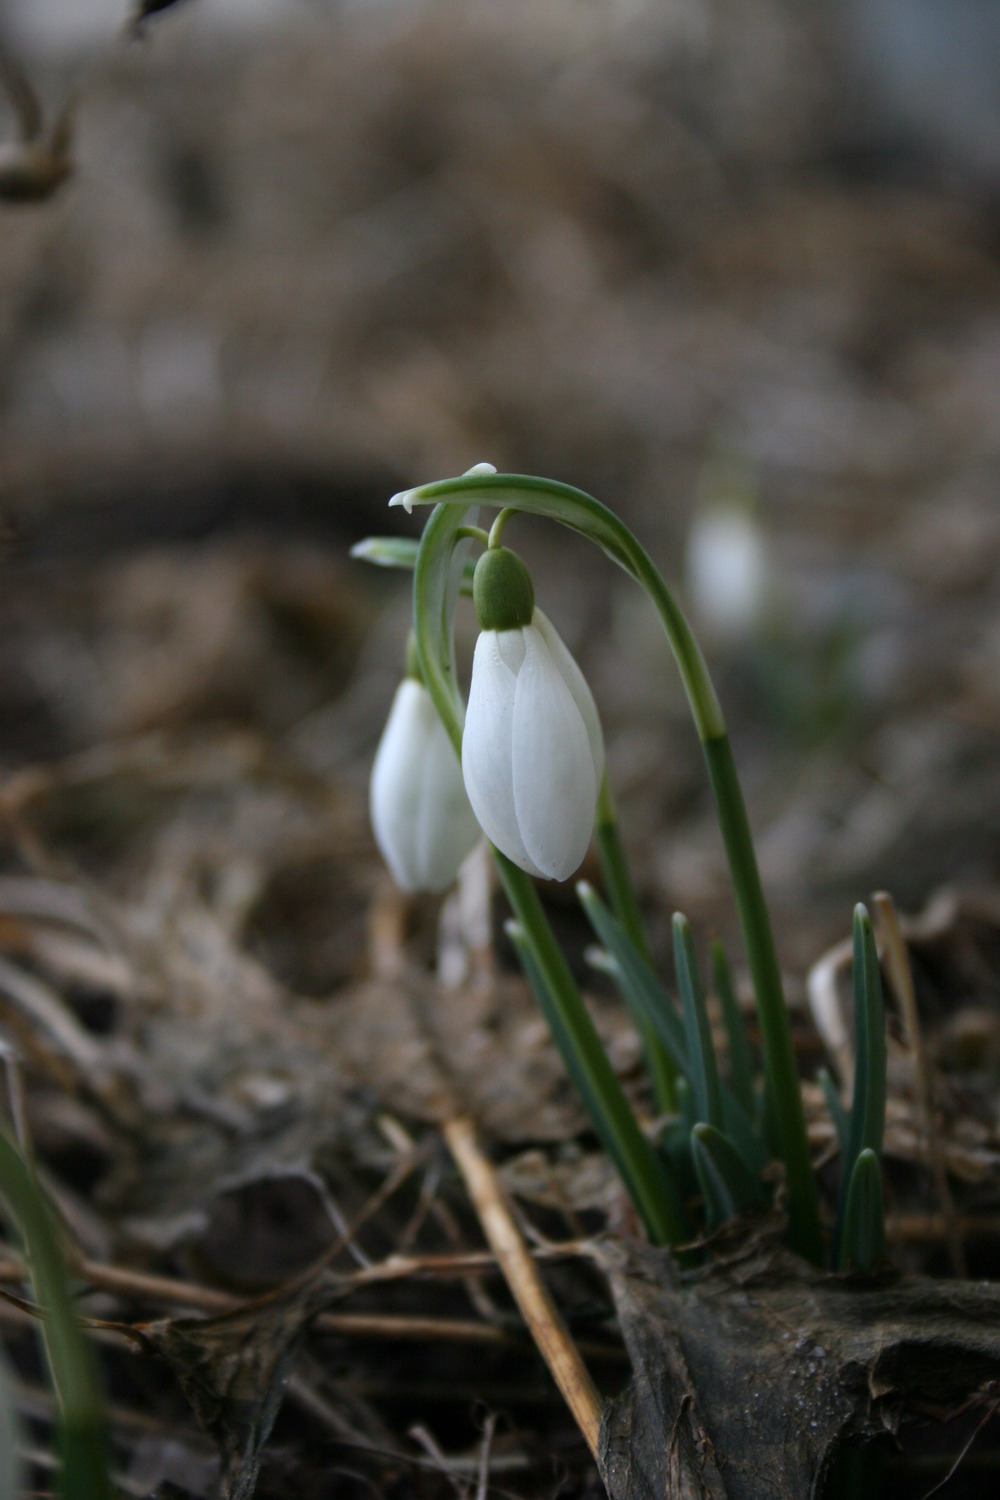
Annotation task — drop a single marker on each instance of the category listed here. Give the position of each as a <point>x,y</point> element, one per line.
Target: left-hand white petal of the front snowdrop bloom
<point>488,746</point>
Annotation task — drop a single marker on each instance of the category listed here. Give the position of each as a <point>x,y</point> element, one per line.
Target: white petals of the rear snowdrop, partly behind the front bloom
<point>421,815</point>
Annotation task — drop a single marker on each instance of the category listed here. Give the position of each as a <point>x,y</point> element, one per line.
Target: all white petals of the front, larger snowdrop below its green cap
<point>533,754</point>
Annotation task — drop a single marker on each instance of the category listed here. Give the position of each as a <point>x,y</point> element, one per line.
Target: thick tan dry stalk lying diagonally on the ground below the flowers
<point>521,1273</point>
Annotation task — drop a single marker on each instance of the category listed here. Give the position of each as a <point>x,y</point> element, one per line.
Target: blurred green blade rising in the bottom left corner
<point>82,1427</point>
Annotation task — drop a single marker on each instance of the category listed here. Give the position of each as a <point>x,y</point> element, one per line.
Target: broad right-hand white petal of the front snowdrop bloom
<point>554,773</point>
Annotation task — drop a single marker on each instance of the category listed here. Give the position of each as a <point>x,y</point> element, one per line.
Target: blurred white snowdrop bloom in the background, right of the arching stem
<point>728,571</point>
